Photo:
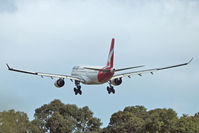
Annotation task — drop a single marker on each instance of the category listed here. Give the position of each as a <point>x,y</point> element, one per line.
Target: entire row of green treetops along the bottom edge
<point>57,117</point>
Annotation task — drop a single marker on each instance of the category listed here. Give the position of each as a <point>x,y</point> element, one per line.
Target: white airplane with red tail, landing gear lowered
<point>97,75</point>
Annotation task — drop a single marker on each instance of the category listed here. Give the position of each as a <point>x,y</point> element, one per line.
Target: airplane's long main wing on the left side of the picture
<point>45,74</point>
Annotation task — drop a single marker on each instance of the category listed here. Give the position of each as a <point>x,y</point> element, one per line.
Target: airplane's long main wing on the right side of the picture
<point>129,74</point>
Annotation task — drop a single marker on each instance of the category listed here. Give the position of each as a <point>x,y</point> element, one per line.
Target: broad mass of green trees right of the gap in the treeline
<point>137,119</point>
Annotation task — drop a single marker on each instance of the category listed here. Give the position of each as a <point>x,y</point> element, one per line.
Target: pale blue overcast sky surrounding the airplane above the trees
<point>54,35</point>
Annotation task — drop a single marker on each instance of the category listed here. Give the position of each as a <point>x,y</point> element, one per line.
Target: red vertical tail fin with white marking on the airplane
<point>111,55</point>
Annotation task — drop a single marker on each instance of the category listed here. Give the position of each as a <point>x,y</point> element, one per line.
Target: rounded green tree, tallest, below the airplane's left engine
<point>57,117</point>
